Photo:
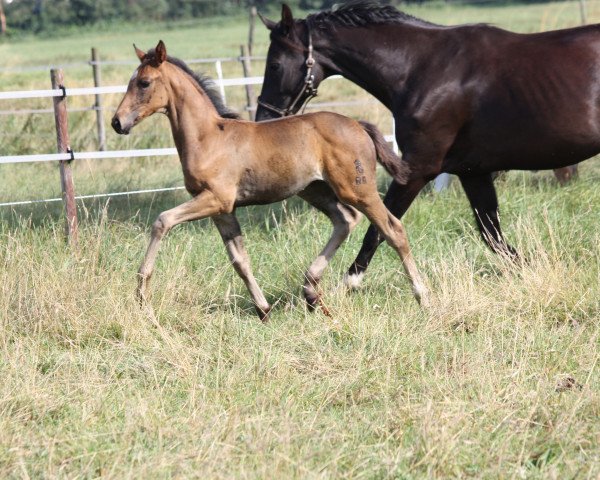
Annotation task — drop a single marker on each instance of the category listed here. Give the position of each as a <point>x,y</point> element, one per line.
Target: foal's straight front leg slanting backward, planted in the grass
<point>230,231</point>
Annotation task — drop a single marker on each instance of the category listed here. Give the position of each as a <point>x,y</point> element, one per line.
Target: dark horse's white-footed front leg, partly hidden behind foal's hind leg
<point>397,200</point>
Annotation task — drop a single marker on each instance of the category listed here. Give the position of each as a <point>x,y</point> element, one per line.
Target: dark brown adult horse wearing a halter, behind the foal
<point>468,100</point>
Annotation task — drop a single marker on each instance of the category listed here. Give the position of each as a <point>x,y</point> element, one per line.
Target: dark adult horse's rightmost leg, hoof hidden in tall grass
<point>482,196</point>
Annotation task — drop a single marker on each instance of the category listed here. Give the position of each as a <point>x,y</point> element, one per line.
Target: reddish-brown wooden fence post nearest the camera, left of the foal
<point>62,141</point>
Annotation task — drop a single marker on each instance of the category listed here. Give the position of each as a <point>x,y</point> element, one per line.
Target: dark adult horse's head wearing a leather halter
<point>292,72</point>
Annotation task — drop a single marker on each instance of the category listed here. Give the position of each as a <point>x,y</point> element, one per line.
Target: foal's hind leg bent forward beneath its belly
<point>344,219</point>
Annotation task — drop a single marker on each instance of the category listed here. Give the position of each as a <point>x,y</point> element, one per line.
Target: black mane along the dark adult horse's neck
<point>360,13</point>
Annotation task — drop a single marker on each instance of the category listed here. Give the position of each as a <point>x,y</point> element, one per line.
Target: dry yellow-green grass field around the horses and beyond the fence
<point>499,379</point>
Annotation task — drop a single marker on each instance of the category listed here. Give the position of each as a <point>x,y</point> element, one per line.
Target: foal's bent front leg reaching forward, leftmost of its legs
<point>205,204</point>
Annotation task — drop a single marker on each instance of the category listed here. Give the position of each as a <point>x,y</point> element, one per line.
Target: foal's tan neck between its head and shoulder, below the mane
<point>192,116</point>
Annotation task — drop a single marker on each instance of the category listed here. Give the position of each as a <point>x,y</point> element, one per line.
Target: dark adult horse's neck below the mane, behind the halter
<point>378,61</point>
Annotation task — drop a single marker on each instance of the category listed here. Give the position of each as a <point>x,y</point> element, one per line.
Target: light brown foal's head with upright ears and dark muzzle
<point>146,93</point>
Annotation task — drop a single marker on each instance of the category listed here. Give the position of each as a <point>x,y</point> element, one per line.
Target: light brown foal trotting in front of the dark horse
<point>326,159</point>
